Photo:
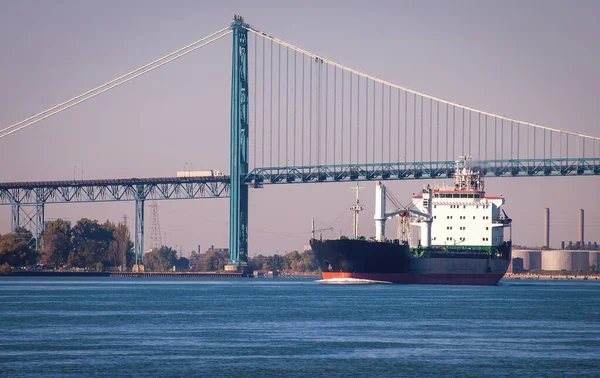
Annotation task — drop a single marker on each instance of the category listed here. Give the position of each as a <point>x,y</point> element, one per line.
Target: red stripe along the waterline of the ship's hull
<point>411,278</point>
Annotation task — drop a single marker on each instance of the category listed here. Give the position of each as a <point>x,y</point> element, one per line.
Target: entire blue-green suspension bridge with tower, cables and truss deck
<point>298,117</point>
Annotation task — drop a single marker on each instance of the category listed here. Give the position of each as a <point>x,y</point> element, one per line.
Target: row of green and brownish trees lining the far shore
<point>95,246</point>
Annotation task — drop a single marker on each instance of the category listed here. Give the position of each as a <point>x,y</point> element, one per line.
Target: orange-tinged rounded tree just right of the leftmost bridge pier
<point>57,243</point>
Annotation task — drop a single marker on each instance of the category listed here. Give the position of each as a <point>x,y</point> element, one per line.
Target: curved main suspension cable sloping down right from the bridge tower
<point>384,82</point>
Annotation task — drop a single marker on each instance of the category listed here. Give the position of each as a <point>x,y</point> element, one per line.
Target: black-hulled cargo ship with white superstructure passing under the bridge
<point>459,238</point>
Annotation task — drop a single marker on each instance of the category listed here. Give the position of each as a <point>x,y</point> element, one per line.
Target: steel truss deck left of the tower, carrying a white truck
<point>44,192</point>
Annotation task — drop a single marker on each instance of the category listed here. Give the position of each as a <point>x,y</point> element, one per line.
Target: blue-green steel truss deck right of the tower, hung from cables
<point>421,170</point>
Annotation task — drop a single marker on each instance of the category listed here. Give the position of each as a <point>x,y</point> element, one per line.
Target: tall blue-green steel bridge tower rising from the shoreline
<point>238,220</point>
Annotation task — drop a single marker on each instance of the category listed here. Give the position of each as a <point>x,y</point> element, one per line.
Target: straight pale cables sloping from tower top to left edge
<point>115,83</point>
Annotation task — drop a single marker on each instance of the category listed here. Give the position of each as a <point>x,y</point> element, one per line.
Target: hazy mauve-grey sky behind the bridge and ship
<point>530,60</point>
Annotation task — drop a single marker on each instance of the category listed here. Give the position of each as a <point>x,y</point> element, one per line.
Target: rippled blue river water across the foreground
<point>74,327</point>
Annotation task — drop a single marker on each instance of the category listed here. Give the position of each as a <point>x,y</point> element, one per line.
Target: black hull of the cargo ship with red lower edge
<point>394,262</point>
